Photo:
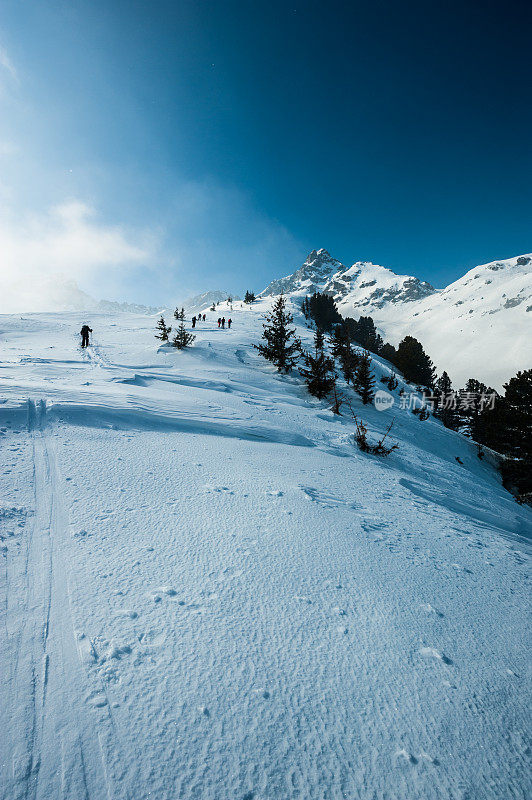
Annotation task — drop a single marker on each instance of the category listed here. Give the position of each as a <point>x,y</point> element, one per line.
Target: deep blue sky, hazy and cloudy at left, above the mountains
<point>151,150</point>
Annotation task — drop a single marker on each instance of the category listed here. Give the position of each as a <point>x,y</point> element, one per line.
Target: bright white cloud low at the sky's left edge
<point>69,241</point>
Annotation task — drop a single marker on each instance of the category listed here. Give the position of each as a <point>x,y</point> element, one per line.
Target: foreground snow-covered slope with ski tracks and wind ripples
<point>209,592</point>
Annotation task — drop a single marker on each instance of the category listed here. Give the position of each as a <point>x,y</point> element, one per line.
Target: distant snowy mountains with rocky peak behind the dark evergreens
<point>480,326</point>
